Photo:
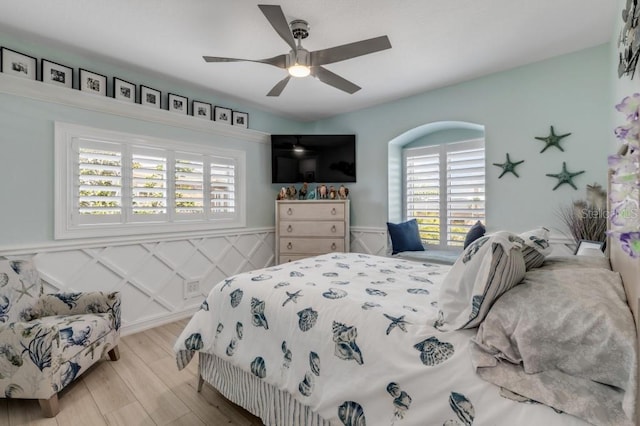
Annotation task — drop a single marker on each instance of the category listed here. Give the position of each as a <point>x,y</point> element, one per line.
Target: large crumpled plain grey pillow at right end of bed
<point>563,332</point>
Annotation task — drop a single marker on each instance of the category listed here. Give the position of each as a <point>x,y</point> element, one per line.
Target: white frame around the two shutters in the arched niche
<point>441,151</point>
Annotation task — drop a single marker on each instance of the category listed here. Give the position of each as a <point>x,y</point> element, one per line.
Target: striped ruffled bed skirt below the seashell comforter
<point>273,406</point>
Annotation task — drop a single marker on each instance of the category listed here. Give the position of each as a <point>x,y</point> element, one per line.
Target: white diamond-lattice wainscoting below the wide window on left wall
<point>152,275</point>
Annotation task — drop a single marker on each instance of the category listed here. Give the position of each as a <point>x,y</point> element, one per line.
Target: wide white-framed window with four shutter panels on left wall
<point>110,183</point>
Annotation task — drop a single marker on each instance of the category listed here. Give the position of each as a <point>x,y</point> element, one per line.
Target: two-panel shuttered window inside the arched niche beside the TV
<point>444,190</point>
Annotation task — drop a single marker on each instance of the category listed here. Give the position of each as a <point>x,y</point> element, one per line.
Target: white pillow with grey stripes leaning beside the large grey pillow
<point>486,269</point>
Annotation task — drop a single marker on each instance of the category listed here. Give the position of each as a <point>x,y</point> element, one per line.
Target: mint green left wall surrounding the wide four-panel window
<point>27,162</point>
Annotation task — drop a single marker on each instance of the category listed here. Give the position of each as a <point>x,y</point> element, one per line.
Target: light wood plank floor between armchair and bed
<point>144,387</point>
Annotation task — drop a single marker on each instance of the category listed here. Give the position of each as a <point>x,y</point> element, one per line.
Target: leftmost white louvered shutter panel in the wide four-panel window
<point>98,182</point>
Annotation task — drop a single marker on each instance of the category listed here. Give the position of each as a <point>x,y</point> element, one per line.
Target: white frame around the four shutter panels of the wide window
<point>69,224</point>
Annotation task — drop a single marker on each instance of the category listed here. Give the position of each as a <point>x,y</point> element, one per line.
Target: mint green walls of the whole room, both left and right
<point>572,92</point>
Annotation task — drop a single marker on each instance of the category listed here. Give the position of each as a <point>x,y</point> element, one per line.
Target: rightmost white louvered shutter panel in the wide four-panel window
<point>222,184</point>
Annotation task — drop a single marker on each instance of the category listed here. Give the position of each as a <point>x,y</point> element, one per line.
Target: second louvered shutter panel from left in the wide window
<point>148,183</point>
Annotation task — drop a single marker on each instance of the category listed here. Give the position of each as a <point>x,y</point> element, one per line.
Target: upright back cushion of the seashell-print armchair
<point>19,289</point>
